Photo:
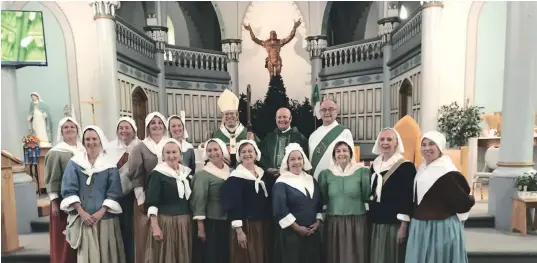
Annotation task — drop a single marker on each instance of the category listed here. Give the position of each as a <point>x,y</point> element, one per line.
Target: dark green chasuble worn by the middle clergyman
<point>273,146</point>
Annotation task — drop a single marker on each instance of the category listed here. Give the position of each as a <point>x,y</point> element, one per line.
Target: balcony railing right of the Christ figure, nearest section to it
<point>352,53</point>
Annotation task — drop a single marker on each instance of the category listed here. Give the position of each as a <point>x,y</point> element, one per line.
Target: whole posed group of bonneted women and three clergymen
<point>285,199</point>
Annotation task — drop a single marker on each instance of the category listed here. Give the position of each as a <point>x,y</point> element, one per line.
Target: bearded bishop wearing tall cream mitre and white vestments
<point>231,132</point>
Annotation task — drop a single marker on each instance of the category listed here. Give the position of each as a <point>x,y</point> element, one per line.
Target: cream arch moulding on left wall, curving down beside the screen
<point>70,49</point>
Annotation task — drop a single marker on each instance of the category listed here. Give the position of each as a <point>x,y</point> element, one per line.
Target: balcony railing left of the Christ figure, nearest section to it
<point>186,57</point>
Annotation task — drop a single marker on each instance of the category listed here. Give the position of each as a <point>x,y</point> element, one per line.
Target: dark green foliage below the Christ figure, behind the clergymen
<point>264,112</point>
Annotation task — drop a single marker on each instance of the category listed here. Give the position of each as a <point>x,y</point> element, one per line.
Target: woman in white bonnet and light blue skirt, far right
<point>442,201</point>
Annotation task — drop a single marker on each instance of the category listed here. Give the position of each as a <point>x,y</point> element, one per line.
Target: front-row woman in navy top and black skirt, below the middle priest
<point>297,207</point>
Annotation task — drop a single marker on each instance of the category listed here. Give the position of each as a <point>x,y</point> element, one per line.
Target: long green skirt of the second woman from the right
<point>384,246</point>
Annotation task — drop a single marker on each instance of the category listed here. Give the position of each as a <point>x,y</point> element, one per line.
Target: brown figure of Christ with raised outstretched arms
<point>273,46</point>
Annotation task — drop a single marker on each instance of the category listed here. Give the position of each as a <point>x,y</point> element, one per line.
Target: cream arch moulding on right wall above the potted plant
<point>471,50</point>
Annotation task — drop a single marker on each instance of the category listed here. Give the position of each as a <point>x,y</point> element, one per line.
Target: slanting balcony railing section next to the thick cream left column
<point>134,40</point>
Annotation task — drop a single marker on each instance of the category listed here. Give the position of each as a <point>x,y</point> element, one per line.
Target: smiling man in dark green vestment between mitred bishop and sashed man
<point>273,145</point>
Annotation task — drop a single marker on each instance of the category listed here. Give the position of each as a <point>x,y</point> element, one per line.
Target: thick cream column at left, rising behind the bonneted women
<point>107,112</point>
